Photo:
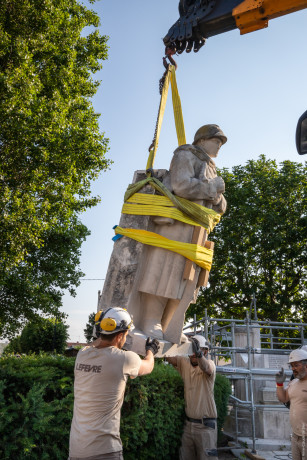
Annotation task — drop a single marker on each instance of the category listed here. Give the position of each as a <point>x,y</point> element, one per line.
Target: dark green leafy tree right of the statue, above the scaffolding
<point>260,244</point>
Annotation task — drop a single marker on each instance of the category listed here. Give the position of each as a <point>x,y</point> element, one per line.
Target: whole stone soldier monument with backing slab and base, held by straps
<point>153,283</point>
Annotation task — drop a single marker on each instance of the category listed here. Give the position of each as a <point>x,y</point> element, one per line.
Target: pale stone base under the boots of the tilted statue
<point>136,342</point>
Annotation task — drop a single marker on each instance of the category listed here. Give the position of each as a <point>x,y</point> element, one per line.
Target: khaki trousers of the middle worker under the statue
<point>198,442</point>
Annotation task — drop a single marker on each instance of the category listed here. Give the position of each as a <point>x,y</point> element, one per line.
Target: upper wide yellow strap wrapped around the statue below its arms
<point>143,204</point>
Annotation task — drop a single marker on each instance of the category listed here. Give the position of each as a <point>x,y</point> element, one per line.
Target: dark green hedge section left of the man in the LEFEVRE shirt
<point>36,401</point>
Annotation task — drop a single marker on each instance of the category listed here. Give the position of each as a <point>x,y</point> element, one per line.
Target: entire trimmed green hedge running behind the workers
<point>36,402</point>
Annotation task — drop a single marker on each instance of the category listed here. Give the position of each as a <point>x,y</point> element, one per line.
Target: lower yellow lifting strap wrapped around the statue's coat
<point>198,254</point>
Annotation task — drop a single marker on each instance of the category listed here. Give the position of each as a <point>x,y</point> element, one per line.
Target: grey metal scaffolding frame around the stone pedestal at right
<point>219,334</point>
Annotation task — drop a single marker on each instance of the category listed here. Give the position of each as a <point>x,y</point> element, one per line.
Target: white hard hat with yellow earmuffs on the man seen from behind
<point>113,320</point>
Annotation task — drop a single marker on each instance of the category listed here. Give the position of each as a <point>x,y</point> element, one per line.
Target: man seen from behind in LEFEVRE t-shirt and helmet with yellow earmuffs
<point>101,373</point>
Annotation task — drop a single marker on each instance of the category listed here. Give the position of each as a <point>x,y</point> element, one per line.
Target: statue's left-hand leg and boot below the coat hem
<point>152,311</point>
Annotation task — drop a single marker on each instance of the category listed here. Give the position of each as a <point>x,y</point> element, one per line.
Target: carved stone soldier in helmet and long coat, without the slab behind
<point>192,175</point>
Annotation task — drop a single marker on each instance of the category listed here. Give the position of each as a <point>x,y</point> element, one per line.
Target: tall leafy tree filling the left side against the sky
<point>50,149</point>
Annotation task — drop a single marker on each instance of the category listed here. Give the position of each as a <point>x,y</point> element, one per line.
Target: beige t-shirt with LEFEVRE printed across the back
<point>100,382</point>
